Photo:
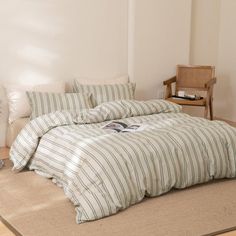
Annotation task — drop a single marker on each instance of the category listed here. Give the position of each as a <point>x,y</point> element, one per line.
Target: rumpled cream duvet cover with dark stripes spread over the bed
<point>103,172</point>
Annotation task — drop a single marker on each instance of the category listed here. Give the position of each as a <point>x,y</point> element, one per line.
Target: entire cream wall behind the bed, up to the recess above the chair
<point>51,40</point>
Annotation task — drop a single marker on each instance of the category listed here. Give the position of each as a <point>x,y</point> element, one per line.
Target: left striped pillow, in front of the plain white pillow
<point>44,103</point>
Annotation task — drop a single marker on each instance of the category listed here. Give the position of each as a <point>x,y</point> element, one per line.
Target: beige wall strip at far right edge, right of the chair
<point>225,96</point>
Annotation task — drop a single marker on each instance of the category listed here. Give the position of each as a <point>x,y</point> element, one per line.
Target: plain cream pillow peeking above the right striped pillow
<point>119,80</point>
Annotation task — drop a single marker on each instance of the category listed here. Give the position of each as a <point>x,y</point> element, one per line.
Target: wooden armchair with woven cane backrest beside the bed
<point>194,78</point>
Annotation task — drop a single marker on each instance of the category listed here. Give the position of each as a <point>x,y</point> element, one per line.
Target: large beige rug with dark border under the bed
<point>34,206</point>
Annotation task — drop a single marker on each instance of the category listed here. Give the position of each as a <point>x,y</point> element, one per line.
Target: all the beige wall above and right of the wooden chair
<point>213,42</point>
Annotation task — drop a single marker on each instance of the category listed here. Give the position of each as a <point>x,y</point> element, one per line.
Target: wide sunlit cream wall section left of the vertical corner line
<point>51,40</point>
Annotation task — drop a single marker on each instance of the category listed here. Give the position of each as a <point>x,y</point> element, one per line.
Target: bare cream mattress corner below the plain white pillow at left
<point>14,129</point>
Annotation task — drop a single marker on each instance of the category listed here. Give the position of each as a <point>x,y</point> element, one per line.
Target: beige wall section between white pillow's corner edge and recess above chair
<point>161,41</point>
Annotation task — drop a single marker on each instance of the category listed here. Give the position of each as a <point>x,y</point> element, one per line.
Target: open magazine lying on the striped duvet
<point>122,127</point>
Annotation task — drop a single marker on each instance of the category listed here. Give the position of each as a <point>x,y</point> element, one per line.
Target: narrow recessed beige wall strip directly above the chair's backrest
<point>205,31</point>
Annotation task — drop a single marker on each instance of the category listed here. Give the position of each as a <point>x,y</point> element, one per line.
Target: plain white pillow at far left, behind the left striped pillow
<point>19,106</point>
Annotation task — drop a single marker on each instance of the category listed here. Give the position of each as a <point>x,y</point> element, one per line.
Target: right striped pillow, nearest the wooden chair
<point>106,92</point>
